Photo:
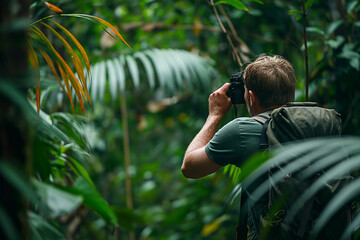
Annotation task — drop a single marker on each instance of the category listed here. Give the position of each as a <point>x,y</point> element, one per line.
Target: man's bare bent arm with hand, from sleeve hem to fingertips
<point>196,162</point>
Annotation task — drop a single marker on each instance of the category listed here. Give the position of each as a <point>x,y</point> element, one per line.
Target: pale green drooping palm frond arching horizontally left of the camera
<point>171,69</point>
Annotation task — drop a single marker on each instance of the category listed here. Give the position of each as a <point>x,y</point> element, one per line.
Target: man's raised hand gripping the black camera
<point>219,102</point>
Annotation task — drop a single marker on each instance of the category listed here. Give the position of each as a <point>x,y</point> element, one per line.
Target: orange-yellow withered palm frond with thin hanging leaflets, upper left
<point>77,83</point>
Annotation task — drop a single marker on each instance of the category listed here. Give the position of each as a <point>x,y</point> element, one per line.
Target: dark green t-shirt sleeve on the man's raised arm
<point>235,142</point>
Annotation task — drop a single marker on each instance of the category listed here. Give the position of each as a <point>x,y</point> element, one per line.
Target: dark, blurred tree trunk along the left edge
<point>14,131</point>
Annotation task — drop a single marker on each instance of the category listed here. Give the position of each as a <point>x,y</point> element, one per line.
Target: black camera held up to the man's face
<point>236,89</point>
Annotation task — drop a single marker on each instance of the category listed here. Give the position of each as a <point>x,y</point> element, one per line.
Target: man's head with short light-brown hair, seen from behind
<point>271,79</point>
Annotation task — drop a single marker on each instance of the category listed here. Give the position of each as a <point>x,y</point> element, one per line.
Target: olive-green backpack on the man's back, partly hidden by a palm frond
<point>293,122</point>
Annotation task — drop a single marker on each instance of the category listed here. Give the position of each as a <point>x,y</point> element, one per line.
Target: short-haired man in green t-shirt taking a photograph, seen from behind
<point>269,83</point>
